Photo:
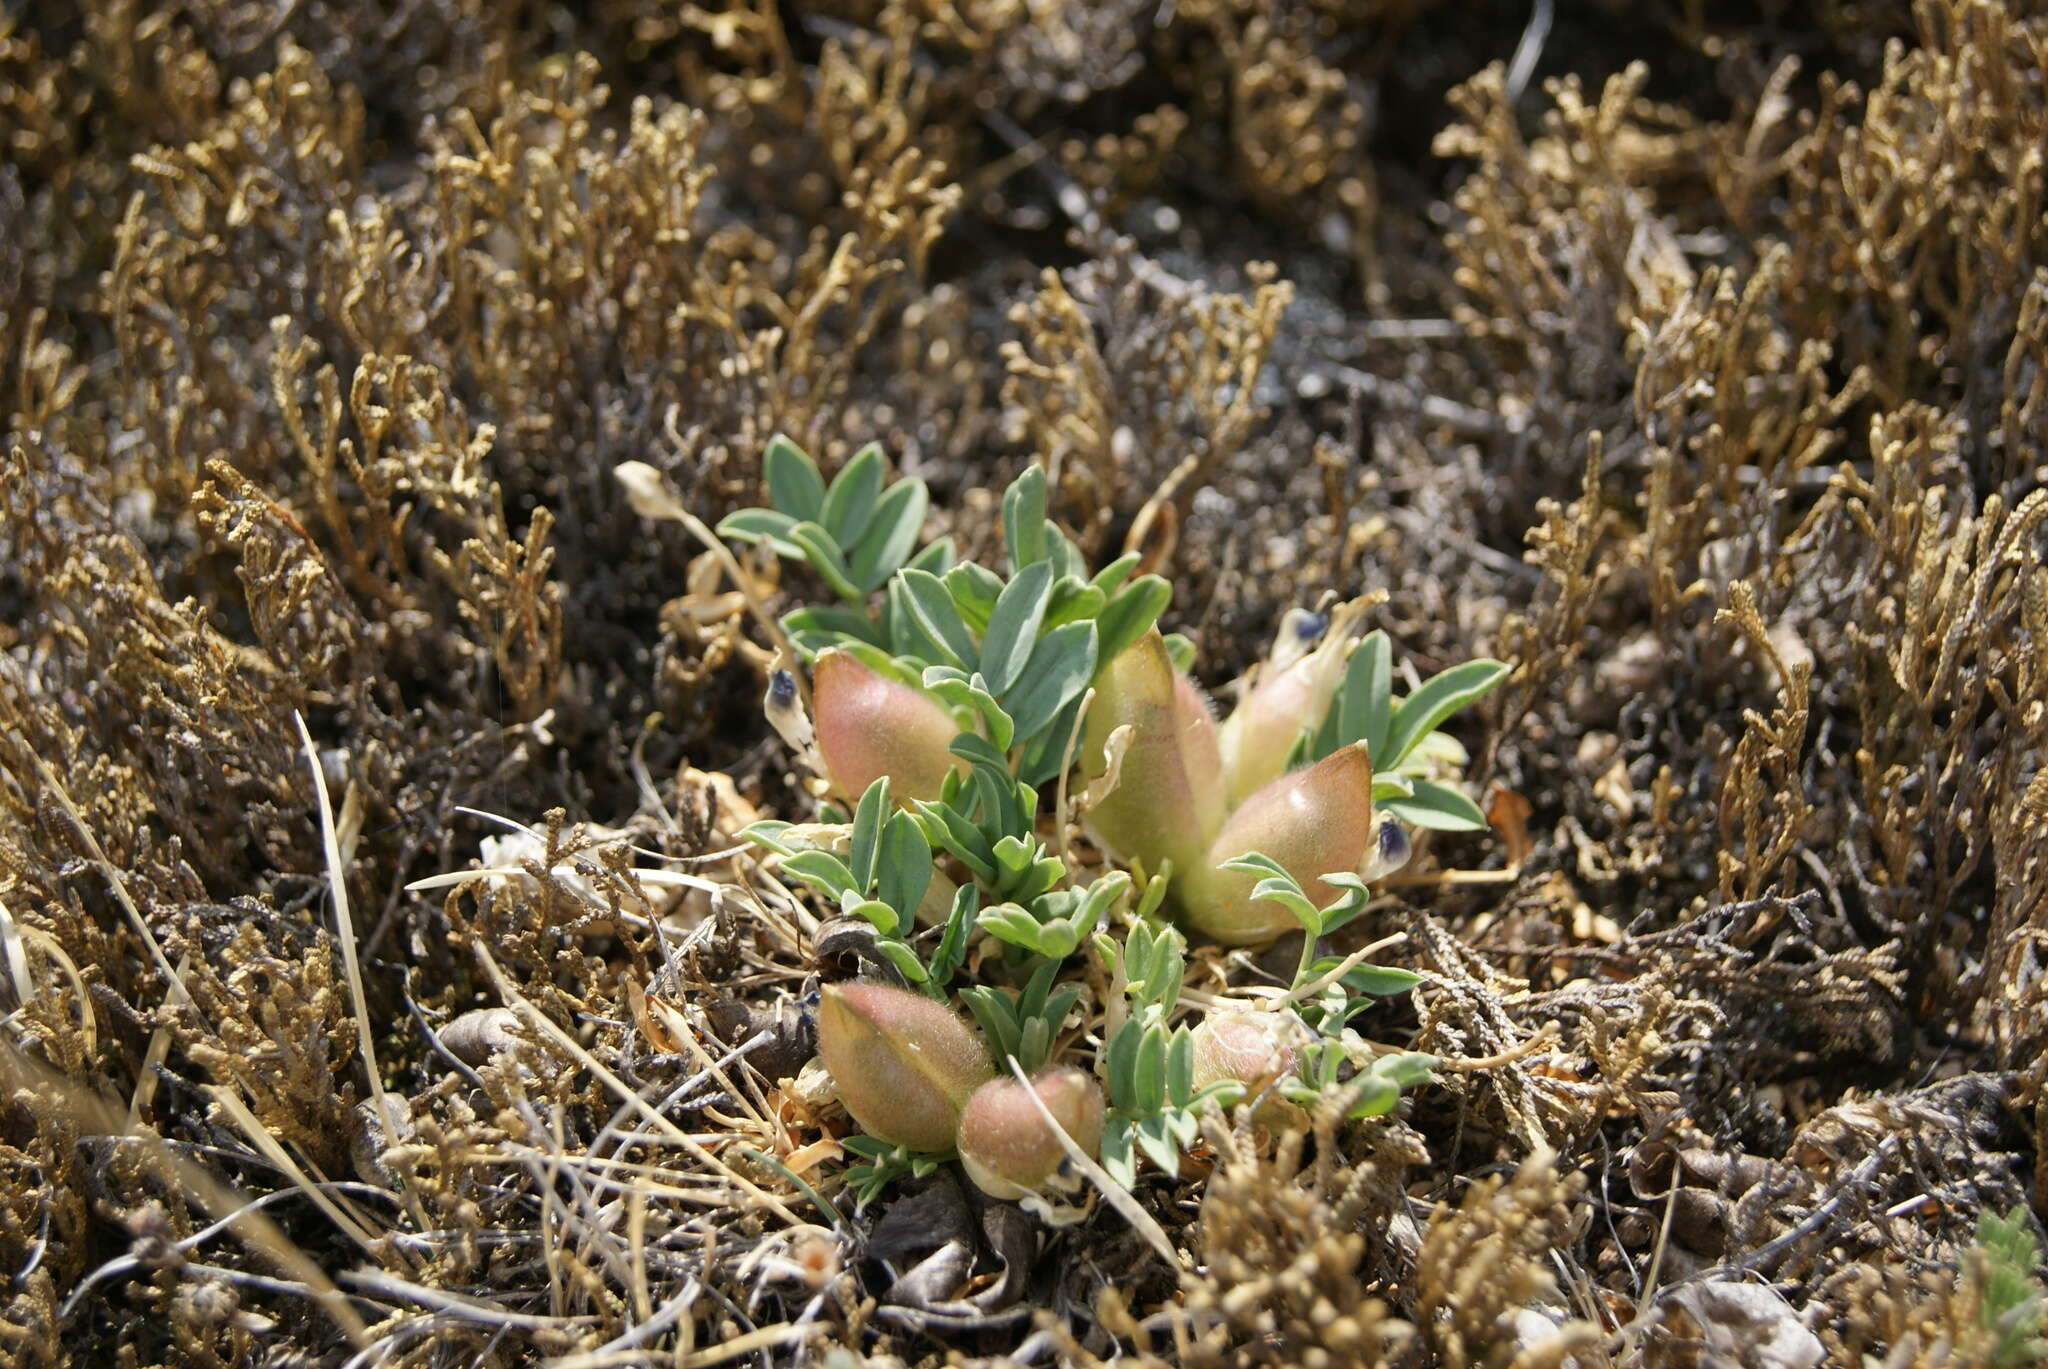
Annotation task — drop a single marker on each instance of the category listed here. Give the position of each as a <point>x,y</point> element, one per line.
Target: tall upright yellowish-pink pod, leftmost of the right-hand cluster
<point>1168,802</point>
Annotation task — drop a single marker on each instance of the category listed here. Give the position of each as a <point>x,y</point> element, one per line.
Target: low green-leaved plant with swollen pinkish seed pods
<point>945,702</point>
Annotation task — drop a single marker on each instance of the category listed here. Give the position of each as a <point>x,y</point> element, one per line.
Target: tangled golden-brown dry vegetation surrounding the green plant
<point>1695,364</point>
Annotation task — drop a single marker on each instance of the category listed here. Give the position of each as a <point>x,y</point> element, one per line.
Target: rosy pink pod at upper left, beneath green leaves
<point>871,727</point>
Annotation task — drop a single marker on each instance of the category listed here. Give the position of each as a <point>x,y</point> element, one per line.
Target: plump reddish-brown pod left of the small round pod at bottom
<point>902,1063</point>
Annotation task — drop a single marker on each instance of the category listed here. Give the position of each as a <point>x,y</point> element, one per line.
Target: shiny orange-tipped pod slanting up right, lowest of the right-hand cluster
<point>1312,823</point>
